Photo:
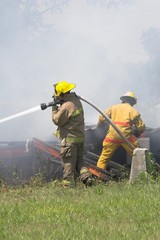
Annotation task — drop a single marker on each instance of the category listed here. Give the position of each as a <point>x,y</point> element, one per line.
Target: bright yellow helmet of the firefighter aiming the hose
<point>63,87</point>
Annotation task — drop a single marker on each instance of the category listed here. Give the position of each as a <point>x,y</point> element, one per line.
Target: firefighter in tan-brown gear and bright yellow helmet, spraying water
<point>69,117</point>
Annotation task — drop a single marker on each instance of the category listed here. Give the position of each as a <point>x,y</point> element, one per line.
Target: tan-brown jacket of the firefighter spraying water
<point>69,118</point>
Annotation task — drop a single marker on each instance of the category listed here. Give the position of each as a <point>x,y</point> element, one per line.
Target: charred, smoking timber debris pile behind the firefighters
<point>19,161</point>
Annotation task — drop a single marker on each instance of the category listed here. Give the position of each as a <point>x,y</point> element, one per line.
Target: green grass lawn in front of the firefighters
<point>106,211</point>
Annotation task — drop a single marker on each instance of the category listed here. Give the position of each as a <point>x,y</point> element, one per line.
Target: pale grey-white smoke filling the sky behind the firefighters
<point>105,47</point>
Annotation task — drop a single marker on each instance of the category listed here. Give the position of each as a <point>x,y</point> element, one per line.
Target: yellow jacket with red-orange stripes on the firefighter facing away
<point>124,116</point>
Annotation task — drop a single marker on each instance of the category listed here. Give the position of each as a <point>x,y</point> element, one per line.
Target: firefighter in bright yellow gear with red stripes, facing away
<point>128,120</point>
